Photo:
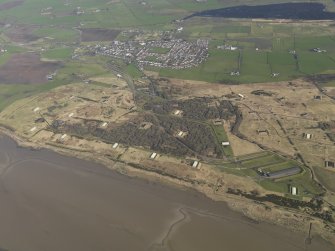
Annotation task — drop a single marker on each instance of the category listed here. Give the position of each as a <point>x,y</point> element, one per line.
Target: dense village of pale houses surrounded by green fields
<point>175,53</point>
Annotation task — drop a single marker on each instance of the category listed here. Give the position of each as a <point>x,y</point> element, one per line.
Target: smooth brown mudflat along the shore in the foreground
<point>52,202</point>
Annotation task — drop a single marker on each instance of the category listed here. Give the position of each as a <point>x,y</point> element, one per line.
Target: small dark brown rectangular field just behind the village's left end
<point>95,34</point>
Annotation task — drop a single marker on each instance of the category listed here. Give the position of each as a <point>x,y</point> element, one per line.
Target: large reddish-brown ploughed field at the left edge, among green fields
<point>26,68</point>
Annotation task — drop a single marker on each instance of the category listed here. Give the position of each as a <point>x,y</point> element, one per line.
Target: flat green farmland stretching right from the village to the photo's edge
<point>263,49</point>
